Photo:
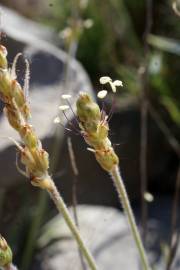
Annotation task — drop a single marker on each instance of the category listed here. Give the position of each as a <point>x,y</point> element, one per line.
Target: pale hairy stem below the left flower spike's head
<point>58,201</point>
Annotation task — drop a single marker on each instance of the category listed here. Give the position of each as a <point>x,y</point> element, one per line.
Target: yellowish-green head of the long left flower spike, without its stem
<point>34,158</point>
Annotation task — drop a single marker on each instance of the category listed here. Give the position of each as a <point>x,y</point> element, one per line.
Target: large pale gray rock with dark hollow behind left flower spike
<point>47,85</point>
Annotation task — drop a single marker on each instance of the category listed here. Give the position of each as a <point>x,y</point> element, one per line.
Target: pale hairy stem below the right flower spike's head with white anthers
<point>118,182</point>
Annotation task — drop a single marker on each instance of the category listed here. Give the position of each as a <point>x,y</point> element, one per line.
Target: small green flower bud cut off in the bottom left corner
<point>5,253</point>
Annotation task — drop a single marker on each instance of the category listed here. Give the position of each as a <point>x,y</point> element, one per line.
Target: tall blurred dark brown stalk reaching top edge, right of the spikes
<point>144,122</point>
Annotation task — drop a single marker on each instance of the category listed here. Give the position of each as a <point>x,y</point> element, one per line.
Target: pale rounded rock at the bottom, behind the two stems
<point>106,233</point>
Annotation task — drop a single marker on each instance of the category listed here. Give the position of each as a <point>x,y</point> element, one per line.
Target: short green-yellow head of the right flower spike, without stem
<point>95,131</point>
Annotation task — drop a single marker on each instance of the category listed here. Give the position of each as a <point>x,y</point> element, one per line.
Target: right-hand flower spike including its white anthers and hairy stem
<point>94,128</point>
